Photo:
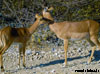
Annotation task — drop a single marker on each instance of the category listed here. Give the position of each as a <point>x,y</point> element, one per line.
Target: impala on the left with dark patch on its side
<point>9,35</point>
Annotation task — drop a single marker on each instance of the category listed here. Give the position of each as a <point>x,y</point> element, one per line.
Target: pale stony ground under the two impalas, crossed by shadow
<point>49,59</point>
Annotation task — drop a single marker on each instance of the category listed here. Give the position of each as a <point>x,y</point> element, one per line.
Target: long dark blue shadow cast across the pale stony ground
<point>96,58</point>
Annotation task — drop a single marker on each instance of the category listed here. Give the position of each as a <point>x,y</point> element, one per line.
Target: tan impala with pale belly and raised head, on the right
<point>74,30</point>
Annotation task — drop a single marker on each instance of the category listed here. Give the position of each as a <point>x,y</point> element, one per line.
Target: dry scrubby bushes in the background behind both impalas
<point>20,13</point>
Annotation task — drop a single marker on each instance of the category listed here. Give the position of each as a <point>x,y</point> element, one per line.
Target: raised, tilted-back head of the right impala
<point>47,13</point>
